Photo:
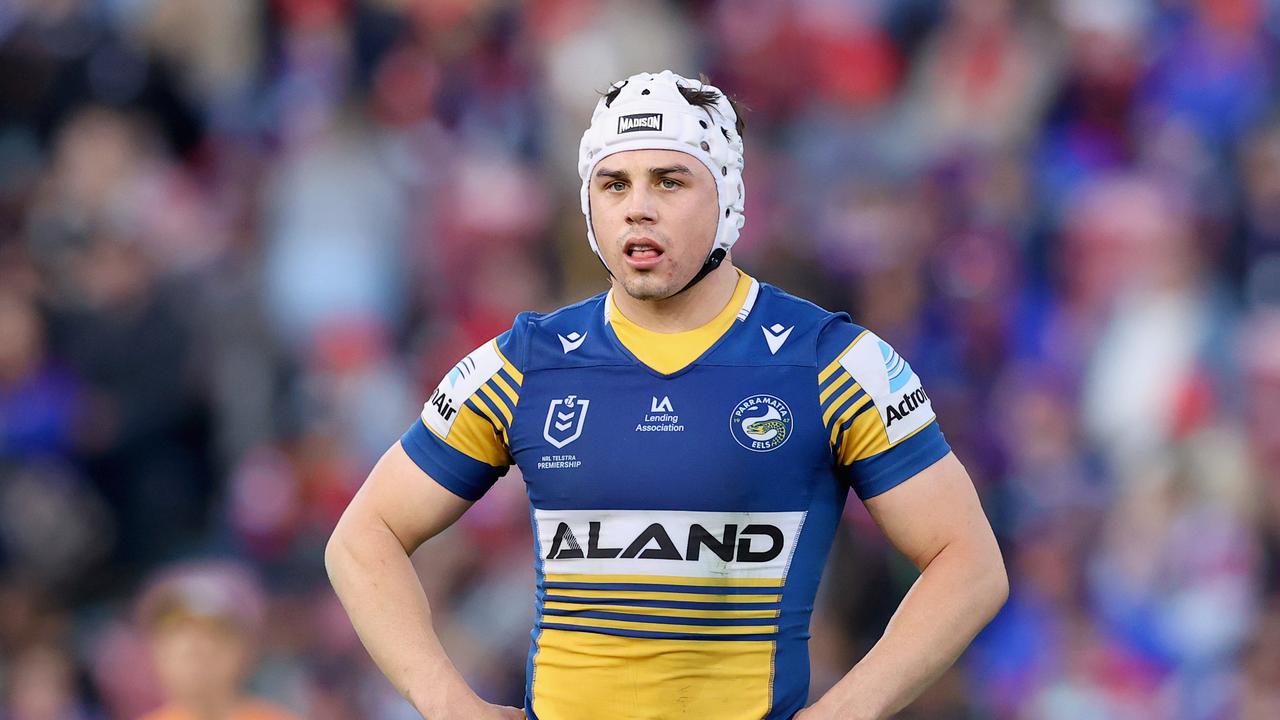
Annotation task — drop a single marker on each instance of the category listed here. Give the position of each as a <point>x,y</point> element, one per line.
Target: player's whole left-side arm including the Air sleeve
<point>449,459</point>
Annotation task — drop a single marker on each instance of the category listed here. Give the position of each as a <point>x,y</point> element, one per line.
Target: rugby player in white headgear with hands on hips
<point>688,441</point>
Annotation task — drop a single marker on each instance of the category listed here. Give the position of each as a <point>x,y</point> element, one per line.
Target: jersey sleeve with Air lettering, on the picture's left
<point>461,439</point>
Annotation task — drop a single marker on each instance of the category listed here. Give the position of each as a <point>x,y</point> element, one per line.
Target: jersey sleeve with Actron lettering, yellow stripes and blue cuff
<point>880,420</point>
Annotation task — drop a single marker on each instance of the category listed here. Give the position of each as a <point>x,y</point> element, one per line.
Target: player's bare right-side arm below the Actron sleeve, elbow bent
<point>936,521</point>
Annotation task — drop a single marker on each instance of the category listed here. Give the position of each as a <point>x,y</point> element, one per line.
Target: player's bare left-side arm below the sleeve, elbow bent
<point>368,559</point>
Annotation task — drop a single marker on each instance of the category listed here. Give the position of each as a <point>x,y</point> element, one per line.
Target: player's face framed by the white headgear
<point>655,215</point>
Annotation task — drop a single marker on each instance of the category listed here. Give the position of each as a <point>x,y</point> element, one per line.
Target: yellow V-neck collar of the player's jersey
<point>671,353</point>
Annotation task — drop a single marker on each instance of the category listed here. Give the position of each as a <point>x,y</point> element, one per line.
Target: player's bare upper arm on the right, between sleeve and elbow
<point>931,511</point>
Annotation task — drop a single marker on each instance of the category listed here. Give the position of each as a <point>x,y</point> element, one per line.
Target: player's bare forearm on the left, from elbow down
<point>382,594</point>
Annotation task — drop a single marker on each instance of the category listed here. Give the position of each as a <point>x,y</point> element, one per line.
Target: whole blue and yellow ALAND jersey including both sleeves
<point>684,491</point>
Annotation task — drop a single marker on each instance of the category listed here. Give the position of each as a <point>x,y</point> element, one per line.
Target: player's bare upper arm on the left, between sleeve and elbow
<point>406,500</point>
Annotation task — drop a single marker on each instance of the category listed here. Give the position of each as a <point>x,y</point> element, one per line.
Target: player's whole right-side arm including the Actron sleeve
<point>886,441</point>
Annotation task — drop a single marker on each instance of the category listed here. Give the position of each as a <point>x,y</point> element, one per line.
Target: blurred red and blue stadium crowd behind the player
<point>240,241</point>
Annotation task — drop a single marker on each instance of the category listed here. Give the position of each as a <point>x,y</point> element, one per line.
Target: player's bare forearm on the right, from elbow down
<point>959,593</point>
